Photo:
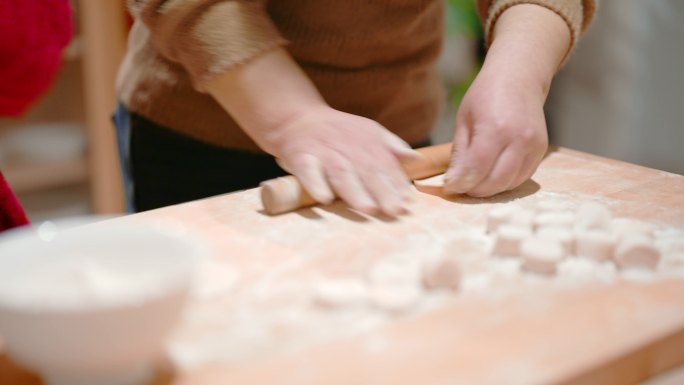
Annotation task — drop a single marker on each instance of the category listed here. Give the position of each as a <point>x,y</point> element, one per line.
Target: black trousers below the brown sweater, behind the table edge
<point>161,167</point>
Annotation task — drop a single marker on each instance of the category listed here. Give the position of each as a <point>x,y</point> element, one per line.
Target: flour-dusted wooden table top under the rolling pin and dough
<point>260,328</point>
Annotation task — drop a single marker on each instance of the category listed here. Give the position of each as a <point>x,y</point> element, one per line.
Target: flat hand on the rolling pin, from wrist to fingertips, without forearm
<point>334,153</point>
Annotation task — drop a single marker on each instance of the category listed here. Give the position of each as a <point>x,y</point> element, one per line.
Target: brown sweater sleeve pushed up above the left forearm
<point>207,37</point>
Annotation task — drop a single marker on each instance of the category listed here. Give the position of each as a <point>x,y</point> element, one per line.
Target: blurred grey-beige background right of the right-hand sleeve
<point>622,93</point>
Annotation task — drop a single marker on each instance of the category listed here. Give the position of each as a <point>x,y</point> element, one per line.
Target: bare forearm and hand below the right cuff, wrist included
<point>500,136</point>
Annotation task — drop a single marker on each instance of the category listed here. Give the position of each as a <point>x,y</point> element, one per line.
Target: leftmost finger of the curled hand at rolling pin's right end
<point>474,165</point>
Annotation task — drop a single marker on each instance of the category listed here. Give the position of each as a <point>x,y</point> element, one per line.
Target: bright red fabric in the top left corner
<point>33,34</point>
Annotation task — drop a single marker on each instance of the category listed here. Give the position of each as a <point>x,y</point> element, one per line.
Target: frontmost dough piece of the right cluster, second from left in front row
<point>541,255</point>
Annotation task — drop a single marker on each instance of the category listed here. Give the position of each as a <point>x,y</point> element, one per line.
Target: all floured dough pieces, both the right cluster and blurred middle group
<point>541,235</point>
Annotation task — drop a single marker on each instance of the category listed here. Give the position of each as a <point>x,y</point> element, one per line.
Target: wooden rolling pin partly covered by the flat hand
<point>285,194</point>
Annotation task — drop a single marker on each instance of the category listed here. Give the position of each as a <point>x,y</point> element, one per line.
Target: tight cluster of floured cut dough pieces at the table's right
<point>549,232</point>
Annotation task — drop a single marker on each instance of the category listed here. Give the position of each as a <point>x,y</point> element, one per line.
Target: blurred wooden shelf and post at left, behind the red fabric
<point>60,157</point>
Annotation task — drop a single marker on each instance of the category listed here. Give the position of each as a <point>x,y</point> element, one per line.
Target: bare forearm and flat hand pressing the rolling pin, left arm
<point>331,152</point>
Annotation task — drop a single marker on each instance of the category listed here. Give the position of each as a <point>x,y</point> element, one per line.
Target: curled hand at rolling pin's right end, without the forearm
<point>500,136</point>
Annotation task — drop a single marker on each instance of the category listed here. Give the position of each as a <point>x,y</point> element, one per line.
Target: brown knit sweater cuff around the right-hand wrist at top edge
<point>577,14</point>
